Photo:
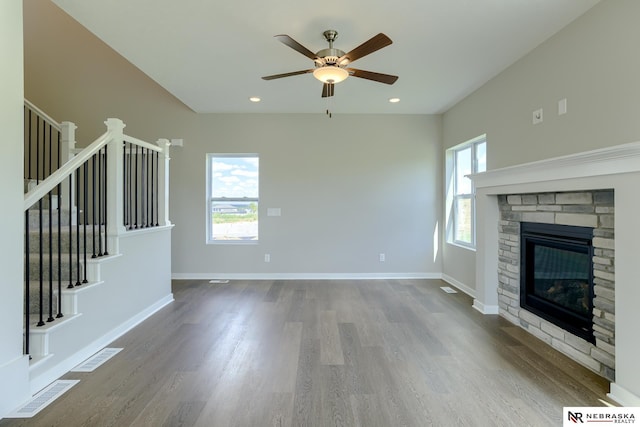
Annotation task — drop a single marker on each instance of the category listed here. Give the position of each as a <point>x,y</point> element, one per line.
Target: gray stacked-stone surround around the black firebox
<point>593,209</point>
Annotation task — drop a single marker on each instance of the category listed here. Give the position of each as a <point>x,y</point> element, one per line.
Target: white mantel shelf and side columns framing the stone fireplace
<point>614,168</point>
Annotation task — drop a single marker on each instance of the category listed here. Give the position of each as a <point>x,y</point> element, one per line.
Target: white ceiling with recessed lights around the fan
<point>211,54</point>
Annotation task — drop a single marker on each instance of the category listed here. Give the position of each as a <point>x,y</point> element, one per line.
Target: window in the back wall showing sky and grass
<point>232,198</point>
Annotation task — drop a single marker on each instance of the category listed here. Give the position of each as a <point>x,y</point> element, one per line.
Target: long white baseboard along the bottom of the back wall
<point>302,276</point>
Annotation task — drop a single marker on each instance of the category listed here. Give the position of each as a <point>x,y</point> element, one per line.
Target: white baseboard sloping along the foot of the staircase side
<point>51,374</point>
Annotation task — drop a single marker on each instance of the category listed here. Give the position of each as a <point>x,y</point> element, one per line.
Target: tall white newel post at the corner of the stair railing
<point>115,168</point>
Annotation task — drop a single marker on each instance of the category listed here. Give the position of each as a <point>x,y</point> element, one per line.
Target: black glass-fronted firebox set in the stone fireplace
<point>556,275</point>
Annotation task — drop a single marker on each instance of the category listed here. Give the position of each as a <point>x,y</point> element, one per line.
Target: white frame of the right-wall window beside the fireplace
<point>455,198</point>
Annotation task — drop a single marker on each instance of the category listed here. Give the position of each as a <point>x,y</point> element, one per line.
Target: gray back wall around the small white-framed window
<point>349,188</point>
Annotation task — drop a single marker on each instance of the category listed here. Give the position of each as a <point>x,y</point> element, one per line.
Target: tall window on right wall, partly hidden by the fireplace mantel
<point>468,158</point>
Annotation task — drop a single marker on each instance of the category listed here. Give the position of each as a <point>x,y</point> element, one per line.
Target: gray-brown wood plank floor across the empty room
<point>324,353</point>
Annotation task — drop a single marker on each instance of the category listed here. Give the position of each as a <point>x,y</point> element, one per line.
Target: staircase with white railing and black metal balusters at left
<point>97,241</point>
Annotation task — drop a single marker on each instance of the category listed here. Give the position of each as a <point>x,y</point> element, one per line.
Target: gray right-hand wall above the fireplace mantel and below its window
<point>594,63</point>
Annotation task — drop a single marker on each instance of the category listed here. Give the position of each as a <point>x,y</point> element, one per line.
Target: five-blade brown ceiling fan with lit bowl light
<point>331,65</point>
